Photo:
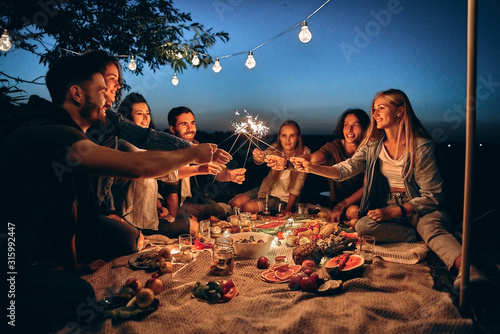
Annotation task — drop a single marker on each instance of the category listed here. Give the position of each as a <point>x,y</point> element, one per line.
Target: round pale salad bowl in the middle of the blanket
<point>251,244</point>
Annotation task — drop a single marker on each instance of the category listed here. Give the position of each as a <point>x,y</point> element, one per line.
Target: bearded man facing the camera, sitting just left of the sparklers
<point>181,195</point>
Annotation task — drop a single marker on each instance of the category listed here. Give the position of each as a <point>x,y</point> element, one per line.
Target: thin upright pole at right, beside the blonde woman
<point>469,148</point>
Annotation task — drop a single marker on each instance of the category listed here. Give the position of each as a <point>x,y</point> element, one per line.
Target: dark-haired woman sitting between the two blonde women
<point>344,196</point>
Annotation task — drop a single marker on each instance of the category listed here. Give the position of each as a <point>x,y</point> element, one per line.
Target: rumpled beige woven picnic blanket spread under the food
<point>388,298</point>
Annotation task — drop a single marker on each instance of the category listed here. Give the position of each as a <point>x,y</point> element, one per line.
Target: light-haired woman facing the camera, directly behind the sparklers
<point>281,184</point>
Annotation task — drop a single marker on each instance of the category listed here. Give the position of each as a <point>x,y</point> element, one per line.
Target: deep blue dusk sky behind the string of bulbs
<point>358,48</point>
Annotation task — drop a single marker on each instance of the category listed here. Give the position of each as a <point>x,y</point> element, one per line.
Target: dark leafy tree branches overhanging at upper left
<point>153,30</point>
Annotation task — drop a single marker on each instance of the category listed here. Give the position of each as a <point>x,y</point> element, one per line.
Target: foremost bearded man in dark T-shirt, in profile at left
<point>44,147</point>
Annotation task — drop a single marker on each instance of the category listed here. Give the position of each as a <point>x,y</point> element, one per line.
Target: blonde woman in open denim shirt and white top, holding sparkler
<point>403,193</point>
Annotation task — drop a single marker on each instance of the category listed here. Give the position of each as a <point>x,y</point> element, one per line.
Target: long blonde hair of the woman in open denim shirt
<point>409,124</point>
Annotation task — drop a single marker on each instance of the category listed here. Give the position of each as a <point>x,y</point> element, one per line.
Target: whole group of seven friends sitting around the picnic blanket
<point>86,176</point>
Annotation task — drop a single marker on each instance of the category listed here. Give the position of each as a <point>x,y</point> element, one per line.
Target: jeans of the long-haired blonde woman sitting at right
<point>431,228</point>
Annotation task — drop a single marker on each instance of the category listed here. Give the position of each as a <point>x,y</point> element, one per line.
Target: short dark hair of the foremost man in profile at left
<point>66,72</point>
